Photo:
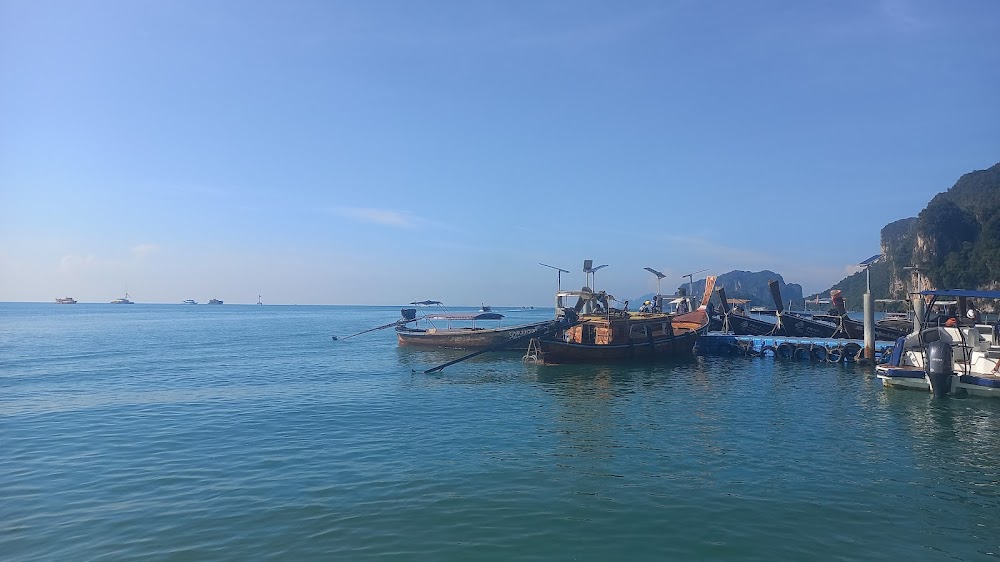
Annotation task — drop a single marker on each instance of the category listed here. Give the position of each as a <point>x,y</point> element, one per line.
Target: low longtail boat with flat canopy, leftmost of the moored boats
<point>461,330</point>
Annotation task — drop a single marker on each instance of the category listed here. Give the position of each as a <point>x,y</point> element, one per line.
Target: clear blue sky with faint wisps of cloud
<point>384,152</point>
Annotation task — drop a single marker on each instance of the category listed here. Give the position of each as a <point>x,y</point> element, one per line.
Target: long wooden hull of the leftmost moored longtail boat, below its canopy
<point>469,338</point>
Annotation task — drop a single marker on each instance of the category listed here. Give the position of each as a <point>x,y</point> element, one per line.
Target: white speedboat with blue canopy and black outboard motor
<point>947,354</point>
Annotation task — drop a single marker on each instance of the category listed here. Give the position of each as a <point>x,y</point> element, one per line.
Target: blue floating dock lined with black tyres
<point>827,350</point>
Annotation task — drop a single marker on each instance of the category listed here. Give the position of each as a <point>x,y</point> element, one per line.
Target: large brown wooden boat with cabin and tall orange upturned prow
<point>597,333</point>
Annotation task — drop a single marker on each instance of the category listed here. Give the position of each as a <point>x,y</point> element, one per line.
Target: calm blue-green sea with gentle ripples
<point>243,432</point>
